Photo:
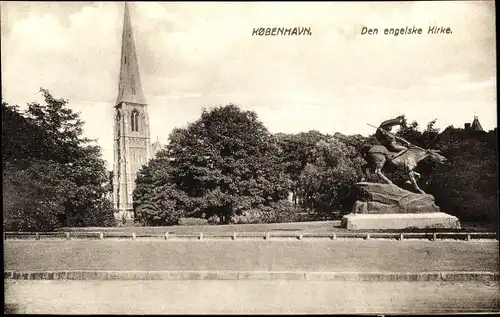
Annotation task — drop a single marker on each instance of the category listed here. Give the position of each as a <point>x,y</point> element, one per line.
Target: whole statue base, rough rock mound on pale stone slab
<point>384,206</point>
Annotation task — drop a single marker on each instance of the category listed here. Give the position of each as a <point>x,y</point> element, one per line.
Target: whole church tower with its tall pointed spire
<point>132,144</point>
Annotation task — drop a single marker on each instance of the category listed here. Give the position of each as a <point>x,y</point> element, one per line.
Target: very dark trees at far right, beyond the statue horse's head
<point>467,185</point>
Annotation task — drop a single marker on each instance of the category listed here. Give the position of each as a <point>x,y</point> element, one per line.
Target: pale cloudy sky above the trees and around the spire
<point>195,55</point>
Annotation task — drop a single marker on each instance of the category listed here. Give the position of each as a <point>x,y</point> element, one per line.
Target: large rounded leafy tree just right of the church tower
<point>223,164</point>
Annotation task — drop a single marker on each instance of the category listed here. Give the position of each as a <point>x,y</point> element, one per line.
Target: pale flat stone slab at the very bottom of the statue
<point>432,220</point>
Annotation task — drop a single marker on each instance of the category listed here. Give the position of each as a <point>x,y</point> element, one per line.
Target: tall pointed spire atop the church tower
<point>129,88</point>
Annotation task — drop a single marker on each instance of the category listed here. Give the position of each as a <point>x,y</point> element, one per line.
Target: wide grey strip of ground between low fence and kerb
<point>326,256</point>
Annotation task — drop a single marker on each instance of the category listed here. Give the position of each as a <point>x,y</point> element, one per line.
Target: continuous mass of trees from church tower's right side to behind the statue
<point>226,167</point>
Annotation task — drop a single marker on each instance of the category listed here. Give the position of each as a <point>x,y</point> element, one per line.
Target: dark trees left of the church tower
<point>53,176</point>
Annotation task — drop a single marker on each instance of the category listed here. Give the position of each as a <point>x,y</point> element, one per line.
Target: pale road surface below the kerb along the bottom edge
<point>234,297</point>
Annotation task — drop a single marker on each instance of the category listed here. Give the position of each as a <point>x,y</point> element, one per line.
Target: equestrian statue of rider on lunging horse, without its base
<point>391,151</point>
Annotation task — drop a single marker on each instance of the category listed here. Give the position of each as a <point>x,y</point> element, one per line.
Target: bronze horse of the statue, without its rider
<point>377,156</point>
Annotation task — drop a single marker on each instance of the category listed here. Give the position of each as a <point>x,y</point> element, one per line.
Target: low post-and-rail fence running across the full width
<point>400,236</point>
